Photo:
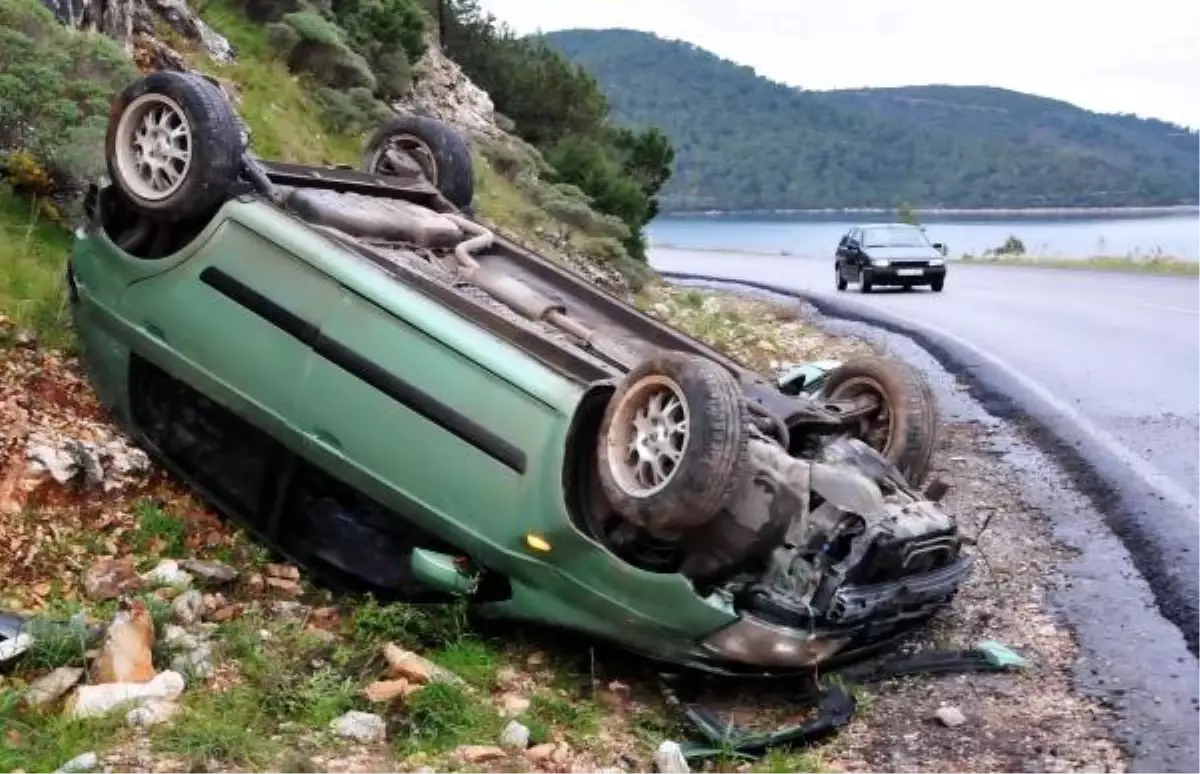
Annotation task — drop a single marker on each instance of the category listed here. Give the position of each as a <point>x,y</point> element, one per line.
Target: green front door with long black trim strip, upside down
<point>397,403</point>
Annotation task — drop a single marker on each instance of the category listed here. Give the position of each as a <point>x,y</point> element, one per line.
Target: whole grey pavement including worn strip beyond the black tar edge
<point>1103,374</point>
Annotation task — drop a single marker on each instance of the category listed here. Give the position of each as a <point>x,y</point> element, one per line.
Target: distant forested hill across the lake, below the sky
<point>745,142</point>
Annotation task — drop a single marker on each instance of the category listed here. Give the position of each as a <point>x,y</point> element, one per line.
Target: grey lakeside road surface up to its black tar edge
<point>1109,363</point>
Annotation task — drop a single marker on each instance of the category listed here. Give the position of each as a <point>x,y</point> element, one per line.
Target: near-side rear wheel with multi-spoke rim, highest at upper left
<point>175,146</point>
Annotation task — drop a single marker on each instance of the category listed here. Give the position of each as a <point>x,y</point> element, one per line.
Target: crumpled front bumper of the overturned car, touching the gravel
<point>755,641</point>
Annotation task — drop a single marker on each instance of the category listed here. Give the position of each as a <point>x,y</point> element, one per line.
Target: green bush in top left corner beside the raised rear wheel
<point>55,91</point>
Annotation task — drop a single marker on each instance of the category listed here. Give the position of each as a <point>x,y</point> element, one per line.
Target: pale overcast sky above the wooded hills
<point>1137,57</point>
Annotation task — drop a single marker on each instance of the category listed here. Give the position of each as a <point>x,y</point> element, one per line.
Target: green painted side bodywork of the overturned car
<point>484,494</point>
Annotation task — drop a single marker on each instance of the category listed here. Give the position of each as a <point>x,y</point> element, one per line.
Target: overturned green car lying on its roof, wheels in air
<point>404,401</point>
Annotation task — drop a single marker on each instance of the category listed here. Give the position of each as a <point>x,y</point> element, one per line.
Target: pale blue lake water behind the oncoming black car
<point>1053,237</point>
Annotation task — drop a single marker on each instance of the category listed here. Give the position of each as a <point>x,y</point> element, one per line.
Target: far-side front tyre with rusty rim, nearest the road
<point>910,435</point>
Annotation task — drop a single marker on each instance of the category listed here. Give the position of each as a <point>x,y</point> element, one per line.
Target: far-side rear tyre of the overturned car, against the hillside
<point>441,152</point>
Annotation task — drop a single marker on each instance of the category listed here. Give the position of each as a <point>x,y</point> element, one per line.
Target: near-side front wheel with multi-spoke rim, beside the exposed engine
<point>709,455</point>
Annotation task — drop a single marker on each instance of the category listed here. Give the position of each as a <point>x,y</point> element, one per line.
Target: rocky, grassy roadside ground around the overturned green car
<point>229,662</point>
